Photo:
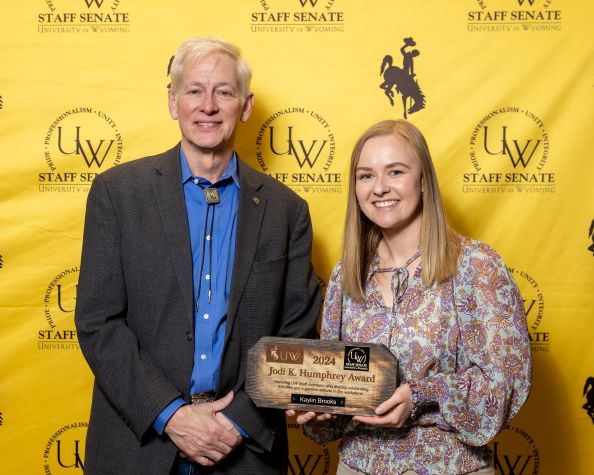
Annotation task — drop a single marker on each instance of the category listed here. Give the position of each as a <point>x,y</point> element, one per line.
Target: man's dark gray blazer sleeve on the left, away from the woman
<point>124,372</point>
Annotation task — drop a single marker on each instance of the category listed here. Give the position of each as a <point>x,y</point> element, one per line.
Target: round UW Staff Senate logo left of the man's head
<point>79,144</point>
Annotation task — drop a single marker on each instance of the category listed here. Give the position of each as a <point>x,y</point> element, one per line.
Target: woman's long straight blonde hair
<point>439,244</point>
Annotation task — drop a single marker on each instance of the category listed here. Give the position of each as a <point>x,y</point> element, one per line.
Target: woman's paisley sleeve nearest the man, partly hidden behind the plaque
<point>326,431</point>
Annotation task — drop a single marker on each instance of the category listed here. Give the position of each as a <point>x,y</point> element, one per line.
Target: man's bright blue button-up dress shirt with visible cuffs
<point>212,238</point>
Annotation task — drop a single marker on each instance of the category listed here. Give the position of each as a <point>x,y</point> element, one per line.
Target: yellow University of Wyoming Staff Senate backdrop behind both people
<point>503,90</point>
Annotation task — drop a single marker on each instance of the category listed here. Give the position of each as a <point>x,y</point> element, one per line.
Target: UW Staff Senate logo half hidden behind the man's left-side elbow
<point>59,303</point>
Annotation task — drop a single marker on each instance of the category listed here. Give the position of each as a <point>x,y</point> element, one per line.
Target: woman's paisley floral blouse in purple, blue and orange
<point>463,348</point>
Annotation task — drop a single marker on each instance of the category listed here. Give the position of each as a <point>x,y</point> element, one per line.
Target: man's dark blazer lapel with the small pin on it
<point>249,223</point>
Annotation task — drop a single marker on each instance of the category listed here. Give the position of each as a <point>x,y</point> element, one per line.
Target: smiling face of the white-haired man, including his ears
<point>208,106</point>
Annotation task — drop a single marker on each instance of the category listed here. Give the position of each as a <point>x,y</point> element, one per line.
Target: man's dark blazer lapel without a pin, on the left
<point>168,190</point>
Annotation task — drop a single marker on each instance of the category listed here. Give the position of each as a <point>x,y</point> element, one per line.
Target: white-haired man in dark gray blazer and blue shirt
<point>189,257</point>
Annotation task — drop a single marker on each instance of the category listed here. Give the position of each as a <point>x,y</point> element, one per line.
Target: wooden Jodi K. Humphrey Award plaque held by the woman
<point>335,377</point>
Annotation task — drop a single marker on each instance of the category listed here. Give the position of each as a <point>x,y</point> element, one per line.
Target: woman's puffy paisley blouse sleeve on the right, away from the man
<point>493,351</point>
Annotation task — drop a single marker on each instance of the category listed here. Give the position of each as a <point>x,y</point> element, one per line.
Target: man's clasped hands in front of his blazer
<point>201,433</point>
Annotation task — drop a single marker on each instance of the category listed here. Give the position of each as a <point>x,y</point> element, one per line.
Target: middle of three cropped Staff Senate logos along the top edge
<point>297,16</point>
